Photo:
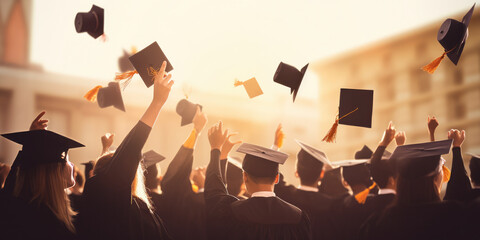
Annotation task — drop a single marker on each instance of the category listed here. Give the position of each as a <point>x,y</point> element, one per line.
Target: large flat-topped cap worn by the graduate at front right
<point>421,159</point>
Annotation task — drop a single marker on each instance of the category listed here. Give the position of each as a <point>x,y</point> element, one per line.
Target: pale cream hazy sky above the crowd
<point>212,42</point>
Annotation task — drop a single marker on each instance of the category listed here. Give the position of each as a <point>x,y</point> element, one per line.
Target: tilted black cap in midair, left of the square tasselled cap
<point>289,76</point>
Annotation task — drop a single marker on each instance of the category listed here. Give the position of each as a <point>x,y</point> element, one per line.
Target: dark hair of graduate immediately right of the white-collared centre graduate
<point>308,168</point>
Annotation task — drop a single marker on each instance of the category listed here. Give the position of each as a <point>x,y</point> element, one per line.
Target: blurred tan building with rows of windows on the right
<point>403,92</point>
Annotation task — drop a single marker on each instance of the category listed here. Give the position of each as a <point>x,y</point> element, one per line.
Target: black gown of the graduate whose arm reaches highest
<point>110,210</point>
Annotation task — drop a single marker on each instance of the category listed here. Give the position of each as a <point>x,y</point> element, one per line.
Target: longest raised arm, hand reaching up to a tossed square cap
<point>123,166</point>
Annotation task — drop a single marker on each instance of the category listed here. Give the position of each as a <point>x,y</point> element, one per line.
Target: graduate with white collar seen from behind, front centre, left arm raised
<point>264,215</point>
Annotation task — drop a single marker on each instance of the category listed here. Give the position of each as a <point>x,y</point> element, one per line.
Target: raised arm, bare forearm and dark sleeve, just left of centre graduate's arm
<point>176,179</point>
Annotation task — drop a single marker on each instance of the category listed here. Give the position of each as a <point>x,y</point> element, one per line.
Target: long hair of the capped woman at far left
<point>45,184</point>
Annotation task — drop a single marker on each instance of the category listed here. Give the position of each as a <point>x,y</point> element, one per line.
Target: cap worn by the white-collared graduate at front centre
<point>260,161</point>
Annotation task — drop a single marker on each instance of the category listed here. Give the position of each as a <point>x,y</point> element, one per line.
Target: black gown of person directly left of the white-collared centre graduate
<point>183,209</point>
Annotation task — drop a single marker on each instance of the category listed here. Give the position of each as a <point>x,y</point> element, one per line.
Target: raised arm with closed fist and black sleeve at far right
<point>458,188</point>
